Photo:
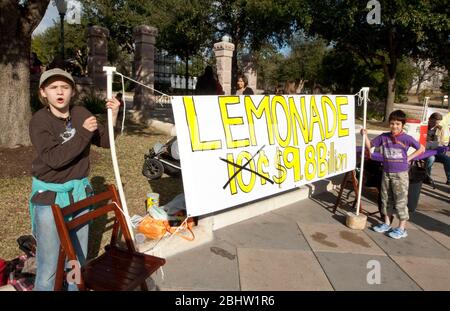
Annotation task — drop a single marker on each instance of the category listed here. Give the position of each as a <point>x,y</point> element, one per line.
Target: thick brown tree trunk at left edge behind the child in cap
<point>18,19</point>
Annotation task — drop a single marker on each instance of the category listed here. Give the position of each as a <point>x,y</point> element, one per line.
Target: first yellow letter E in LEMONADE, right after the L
<point>228,121</point>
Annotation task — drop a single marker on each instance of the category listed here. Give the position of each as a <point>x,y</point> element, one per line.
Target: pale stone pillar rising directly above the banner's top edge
<point>224,55</point>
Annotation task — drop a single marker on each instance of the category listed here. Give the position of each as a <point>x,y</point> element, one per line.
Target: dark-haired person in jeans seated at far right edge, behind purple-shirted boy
<point>433,141</point>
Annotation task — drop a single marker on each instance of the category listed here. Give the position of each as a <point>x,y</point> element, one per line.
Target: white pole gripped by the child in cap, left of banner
<point>109,78</point>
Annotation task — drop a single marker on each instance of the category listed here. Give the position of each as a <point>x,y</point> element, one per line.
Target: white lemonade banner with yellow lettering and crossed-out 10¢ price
<point>237,149</point>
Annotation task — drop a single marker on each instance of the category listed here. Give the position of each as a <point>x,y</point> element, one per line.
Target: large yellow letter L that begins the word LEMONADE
<point>194,132</point>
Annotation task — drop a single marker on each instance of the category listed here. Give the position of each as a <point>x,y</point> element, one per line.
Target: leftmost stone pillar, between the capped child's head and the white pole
<point>97,55</point>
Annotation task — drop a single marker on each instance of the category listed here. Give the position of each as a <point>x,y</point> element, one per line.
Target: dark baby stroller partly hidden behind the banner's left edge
<point>162,159</point>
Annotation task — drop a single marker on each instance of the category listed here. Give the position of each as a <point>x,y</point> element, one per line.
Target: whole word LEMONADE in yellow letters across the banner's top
<point>299,122</point>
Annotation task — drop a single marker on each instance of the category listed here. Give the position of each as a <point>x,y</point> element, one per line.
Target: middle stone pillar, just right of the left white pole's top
<point>144,66</point>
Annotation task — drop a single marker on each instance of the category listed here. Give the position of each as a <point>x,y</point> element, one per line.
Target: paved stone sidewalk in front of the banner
<point>304,246</point>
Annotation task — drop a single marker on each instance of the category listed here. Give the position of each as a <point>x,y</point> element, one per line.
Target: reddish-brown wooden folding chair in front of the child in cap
<point>115,270</point>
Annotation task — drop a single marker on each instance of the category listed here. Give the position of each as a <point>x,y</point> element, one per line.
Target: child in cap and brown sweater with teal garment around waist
<point>62,135</point>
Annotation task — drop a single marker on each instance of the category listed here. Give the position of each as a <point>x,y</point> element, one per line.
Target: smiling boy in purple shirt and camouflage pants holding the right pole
<point>395,180</point>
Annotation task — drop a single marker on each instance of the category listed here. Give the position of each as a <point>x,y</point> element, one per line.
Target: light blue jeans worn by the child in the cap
<point>47,251</point>
